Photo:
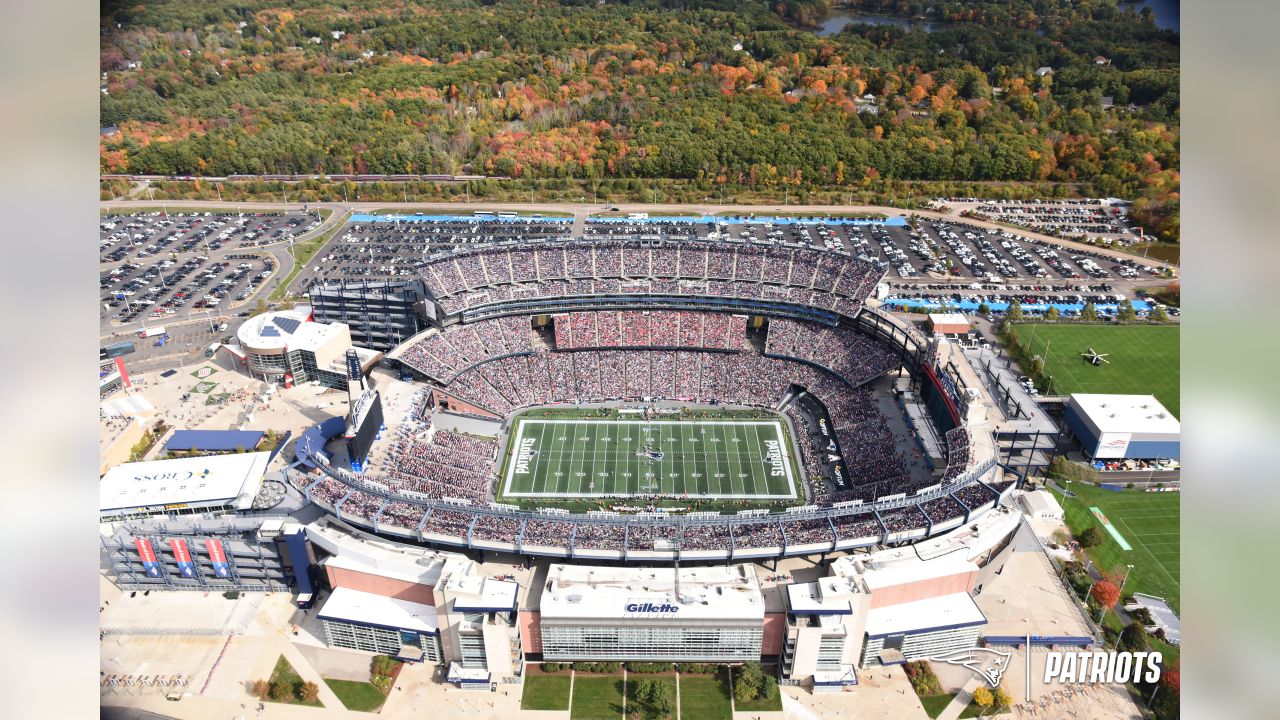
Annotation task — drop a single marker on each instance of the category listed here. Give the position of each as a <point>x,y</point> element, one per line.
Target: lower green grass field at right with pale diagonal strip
<point>1149,522</point>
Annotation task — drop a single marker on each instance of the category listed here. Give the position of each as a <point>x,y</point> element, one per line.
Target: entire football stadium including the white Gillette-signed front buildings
<point>652,441</point>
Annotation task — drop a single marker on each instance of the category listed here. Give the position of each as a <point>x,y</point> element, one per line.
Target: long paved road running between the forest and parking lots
<point>583,211</point>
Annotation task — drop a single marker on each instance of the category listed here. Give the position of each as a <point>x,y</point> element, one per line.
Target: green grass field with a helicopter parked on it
<point>1142,359</point>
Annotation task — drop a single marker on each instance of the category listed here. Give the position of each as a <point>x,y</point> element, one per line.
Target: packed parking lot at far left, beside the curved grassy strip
<point>158,266</point>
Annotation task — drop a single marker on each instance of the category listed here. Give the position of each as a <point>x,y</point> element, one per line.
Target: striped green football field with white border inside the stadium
<point>725,459</point>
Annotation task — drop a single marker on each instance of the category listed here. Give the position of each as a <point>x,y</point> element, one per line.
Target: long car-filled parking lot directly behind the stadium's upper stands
<point>954,258</point>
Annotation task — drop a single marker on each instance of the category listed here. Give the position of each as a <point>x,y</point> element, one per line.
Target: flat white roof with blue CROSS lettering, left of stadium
<point>188,482</point>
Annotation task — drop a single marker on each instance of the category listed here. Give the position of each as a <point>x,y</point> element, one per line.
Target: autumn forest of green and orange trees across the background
<point>721,93</point>
